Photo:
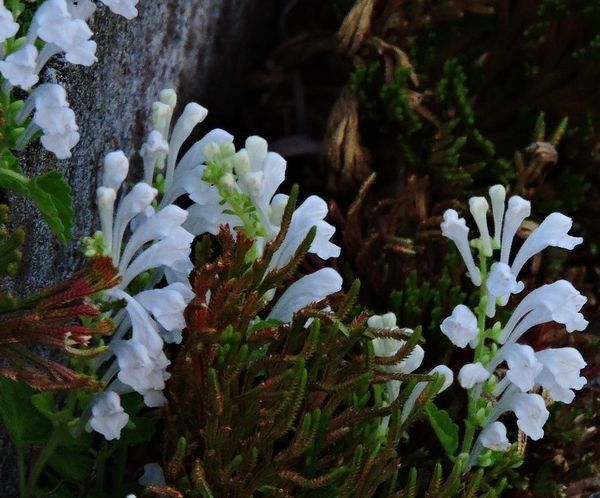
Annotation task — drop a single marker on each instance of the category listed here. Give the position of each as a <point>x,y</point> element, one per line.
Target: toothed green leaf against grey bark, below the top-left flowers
<point>52,195</point>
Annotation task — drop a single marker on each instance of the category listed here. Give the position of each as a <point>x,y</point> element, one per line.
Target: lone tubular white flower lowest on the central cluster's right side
<point>309,289</point>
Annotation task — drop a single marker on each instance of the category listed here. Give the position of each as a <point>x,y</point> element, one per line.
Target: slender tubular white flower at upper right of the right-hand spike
<point>552,232</point>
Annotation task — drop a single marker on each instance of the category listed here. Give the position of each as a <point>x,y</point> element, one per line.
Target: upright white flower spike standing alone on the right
<point>557,371</point>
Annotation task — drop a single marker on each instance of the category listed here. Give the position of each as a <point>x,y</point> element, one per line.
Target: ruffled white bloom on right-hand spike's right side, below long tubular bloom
<point>561,372</point>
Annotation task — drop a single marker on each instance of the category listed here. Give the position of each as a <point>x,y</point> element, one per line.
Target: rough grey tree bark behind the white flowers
<point>195,46</point>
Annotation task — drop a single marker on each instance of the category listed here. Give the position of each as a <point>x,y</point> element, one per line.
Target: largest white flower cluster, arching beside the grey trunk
<point>151,236</point>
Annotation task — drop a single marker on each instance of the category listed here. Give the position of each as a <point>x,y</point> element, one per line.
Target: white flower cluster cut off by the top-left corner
<point>62,25</point>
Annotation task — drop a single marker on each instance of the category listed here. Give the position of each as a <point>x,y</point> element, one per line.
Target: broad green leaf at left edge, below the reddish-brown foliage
<point>25,425</point>
